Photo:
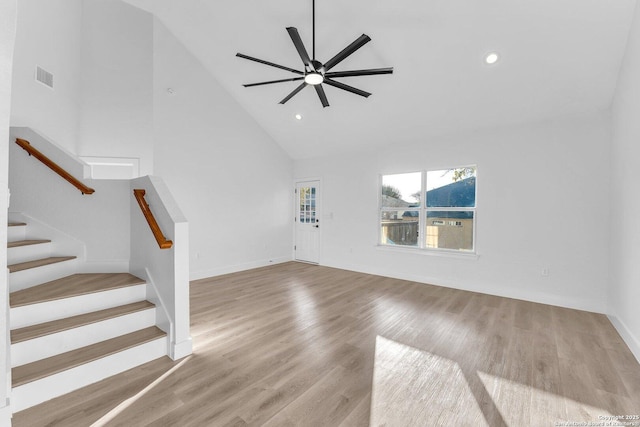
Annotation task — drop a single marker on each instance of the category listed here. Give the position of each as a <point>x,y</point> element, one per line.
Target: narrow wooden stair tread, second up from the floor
<point>42,329</point>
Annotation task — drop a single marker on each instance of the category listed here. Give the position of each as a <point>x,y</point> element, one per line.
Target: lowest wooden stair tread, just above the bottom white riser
<point>71,359</point>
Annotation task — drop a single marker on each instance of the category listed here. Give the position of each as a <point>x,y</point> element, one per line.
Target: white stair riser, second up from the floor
<point>61,342</point>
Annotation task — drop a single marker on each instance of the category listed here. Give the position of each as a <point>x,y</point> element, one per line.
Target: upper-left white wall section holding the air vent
<point>48,35</point>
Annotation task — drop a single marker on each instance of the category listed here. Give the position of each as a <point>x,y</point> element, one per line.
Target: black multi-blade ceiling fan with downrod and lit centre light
<point>316,73</point>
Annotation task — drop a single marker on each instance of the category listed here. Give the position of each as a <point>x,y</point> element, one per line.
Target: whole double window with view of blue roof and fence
<point>434,210</point>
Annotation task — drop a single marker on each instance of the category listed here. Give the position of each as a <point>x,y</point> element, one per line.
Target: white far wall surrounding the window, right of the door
<point>540,204</point>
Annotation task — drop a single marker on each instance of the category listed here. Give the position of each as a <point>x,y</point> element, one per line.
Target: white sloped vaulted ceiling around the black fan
<point>556,58</point>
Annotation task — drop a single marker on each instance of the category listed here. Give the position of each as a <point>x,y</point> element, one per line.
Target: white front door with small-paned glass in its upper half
<point>307,246</point>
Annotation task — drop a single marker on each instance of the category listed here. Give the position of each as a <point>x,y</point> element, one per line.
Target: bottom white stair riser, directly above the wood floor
<point>39,391</point>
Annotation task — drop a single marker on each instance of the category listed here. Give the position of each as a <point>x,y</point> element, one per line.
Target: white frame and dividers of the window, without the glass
<point>423,211</point>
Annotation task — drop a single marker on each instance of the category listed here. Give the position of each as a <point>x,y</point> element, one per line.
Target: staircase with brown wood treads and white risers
<point>69,330</point>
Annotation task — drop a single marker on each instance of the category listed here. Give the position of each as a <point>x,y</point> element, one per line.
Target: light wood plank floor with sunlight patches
<point>297,344</point>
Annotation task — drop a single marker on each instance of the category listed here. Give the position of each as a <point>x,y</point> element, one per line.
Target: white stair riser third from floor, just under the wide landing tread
<point>58,309</point>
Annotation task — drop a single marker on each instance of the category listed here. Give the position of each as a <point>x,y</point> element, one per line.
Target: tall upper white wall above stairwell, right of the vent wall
<point>116,114</point>
